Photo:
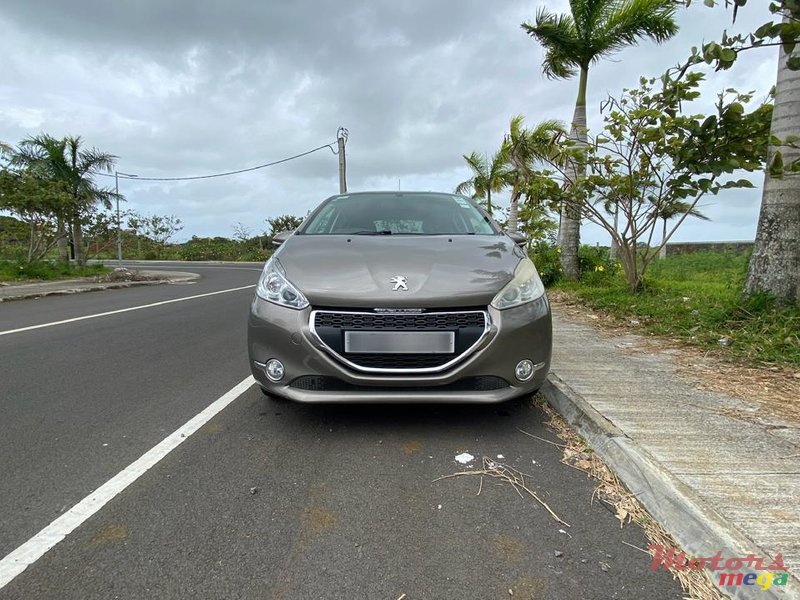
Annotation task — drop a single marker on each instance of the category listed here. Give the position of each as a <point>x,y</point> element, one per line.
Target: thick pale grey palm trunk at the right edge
<point>775,263</point>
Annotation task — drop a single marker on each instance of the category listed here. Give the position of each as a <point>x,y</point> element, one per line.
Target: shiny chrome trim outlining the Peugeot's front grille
<point>487,326</point>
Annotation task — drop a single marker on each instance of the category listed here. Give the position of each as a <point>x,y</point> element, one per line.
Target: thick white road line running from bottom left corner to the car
<point>32,550</point>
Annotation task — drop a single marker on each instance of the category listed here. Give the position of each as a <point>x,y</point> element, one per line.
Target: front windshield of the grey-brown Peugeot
<point>398,214</point>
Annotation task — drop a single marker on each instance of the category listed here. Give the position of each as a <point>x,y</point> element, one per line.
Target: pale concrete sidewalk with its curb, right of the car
<point>714,482</point>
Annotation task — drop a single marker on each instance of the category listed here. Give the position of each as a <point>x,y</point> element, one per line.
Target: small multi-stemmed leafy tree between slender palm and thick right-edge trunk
<point>651,161</point>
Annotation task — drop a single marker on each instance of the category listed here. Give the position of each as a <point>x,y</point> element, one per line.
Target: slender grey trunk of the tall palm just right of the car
<point>570,233</point>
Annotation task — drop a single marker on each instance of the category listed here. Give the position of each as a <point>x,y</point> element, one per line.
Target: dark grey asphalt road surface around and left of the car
<point>271,499</point>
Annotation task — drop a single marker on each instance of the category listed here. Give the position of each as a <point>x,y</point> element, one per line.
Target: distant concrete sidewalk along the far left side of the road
<point>21,291</point>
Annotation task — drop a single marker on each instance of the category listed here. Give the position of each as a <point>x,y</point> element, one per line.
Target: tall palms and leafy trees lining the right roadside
<point>645,170</point>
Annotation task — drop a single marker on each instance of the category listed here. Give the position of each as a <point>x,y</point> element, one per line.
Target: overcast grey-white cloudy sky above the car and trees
<point>180,88</point>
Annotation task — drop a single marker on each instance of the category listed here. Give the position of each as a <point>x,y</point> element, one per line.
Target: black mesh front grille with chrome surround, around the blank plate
<point>468,327</point>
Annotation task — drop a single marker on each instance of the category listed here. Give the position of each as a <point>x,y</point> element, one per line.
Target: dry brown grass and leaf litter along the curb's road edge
<point>578,455</point>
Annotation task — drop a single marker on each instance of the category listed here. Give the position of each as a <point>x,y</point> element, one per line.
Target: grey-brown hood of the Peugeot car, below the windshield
<point>440,271</point>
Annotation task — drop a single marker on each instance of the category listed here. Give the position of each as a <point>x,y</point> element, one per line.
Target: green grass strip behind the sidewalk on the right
<point>697,299</point>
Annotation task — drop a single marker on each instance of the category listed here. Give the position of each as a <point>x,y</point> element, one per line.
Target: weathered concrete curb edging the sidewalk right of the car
<point>700,530</point>
